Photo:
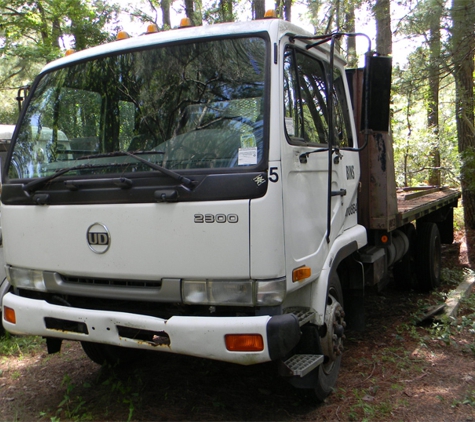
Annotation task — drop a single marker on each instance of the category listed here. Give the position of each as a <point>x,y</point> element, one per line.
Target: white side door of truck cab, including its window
<point>310,170</point>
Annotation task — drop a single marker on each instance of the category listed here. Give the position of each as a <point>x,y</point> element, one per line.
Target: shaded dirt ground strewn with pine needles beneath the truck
<point>395,370</point>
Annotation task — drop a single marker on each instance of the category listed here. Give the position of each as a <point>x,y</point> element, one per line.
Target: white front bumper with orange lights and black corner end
<point>188,335</point>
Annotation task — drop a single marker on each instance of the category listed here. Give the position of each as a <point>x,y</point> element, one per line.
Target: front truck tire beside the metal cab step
<point>332,341</point>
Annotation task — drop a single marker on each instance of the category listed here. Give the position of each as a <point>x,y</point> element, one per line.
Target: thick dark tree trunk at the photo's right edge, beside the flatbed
<point>463,48</point>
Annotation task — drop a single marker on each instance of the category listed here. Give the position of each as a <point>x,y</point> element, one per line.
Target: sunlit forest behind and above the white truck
<point>433,103</point>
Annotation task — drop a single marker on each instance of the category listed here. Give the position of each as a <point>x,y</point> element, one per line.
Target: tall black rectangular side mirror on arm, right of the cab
<point>378,77</point>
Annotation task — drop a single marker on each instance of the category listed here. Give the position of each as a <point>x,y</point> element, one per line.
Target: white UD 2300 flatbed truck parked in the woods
<point>220,197</point>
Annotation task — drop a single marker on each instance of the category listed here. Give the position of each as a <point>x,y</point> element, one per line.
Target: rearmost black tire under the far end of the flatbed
<point>428,256</point>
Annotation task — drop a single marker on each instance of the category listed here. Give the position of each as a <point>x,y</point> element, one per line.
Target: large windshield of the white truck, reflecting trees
<point>188,106</point>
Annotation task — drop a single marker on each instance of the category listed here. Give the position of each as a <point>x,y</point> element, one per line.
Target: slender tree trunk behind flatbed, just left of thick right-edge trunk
<point>433,92</point>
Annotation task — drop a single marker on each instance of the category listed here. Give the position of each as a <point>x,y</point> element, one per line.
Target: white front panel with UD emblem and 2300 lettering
<point>135,241</point>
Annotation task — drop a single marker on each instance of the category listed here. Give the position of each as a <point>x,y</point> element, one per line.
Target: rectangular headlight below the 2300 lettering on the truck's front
<point>233,293</point>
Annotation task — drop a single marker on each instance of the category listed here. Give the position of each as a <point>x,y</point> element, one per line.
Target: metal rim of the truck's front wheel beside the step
<point>332,343</point>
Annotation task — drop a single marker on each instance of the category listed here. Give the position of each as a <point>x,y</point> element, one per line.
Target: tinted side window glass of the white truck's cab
<point>305,101</point>
